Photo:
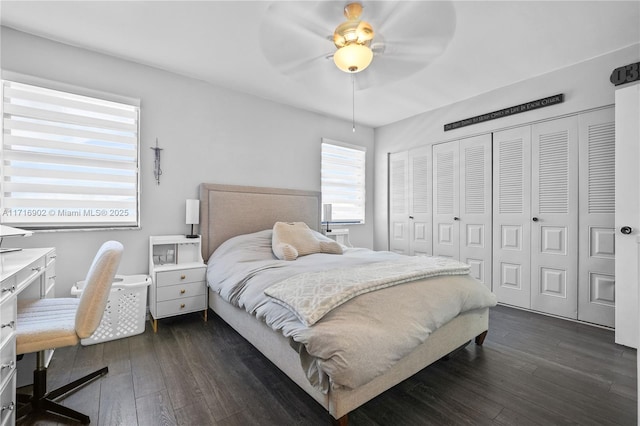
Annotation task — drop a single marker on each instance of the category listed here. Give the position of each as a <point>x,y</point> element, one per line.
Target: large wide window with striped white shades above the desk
<point>68,161</point>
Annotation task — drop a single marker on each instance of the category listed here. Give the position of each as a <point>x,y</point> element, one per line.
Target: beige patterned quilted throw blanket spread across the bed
<point>311,295</point>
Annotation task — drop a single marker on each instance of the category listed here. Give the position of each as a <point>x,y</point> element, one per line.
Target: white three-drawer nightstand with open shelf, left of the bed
<point>178,277</point>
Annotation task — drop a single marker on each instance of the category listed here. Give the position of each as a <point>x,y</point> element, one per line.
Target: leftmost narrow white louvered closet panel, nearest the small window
<point>399,202</point>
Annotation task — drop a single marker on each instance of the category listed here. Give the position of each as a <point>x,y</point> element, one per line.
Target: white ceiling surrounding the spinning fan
<point>494,44</point>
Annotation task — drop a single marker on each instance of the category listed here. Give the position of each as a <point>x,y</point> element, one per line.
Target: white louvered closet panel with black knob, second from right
<point>554,198</point>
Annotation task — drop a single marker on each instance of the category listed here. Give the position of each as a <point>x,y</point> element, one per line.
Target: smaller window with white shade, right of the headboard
<point>343,181</point>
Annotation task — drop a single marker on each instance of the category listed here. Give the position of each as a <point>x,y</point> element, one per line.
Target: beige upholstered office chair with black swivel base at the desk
<point>58,322</point>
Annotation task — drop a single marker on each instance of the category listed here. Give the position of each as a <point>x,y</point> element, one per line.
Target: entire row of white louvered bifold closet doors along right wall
<point>531,209</point>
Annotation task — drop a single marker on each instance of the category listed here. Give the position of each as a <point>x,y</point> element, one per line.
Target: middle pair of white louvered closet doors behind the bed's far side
<point>462,203</point>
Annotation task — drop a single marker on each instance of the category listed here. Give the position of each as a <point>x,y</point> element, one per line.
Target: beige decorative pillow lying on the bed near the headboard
<point>293,239</point>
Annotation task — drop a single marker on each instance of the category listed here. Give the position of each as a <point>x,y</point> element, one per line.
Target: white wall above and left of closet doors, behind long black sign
<point>585,86</point>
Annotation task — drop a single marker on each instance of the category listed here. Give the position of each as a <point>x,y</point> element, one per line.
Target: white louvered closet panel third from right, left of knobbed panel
<point>512,216</point>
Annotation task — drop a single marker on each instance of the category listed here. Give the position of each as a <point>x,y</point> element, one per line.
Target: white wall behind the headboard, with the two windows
<point>208,134</point>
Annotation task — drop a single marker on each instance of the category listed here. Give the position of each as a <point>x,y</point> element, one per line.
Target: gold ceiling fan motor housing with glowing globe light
<point>352,38</point>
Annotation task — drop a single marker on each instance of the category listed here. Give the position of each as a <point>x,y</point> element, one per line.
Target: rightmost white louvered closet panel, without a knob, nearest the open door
<point>596,278</point>
